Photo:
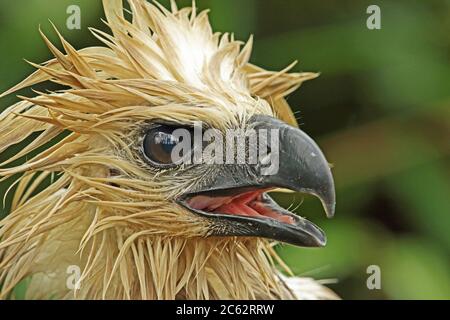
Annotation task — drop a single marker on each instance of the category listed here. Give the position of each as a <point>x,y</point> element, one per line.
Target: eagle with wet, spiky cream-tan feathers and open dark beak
<point>97,190</point>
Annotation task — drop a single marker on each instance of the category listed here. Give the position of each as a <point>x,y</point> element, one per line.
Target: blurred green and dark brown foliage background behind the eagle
<point>380,110</point>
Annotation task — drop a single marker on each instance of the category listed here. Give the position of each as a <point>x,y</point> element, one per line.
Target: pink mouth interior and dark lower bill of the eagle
<point>251,212</point>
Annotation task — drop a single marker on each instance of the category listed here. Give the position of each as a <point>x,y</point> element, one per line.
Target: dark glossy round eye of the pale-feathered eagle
<point>159,143</point>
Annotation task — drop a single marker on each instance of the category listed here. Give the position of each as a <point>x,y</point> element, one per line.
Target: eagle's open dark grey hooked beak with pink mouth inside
<point>235,199</point>
